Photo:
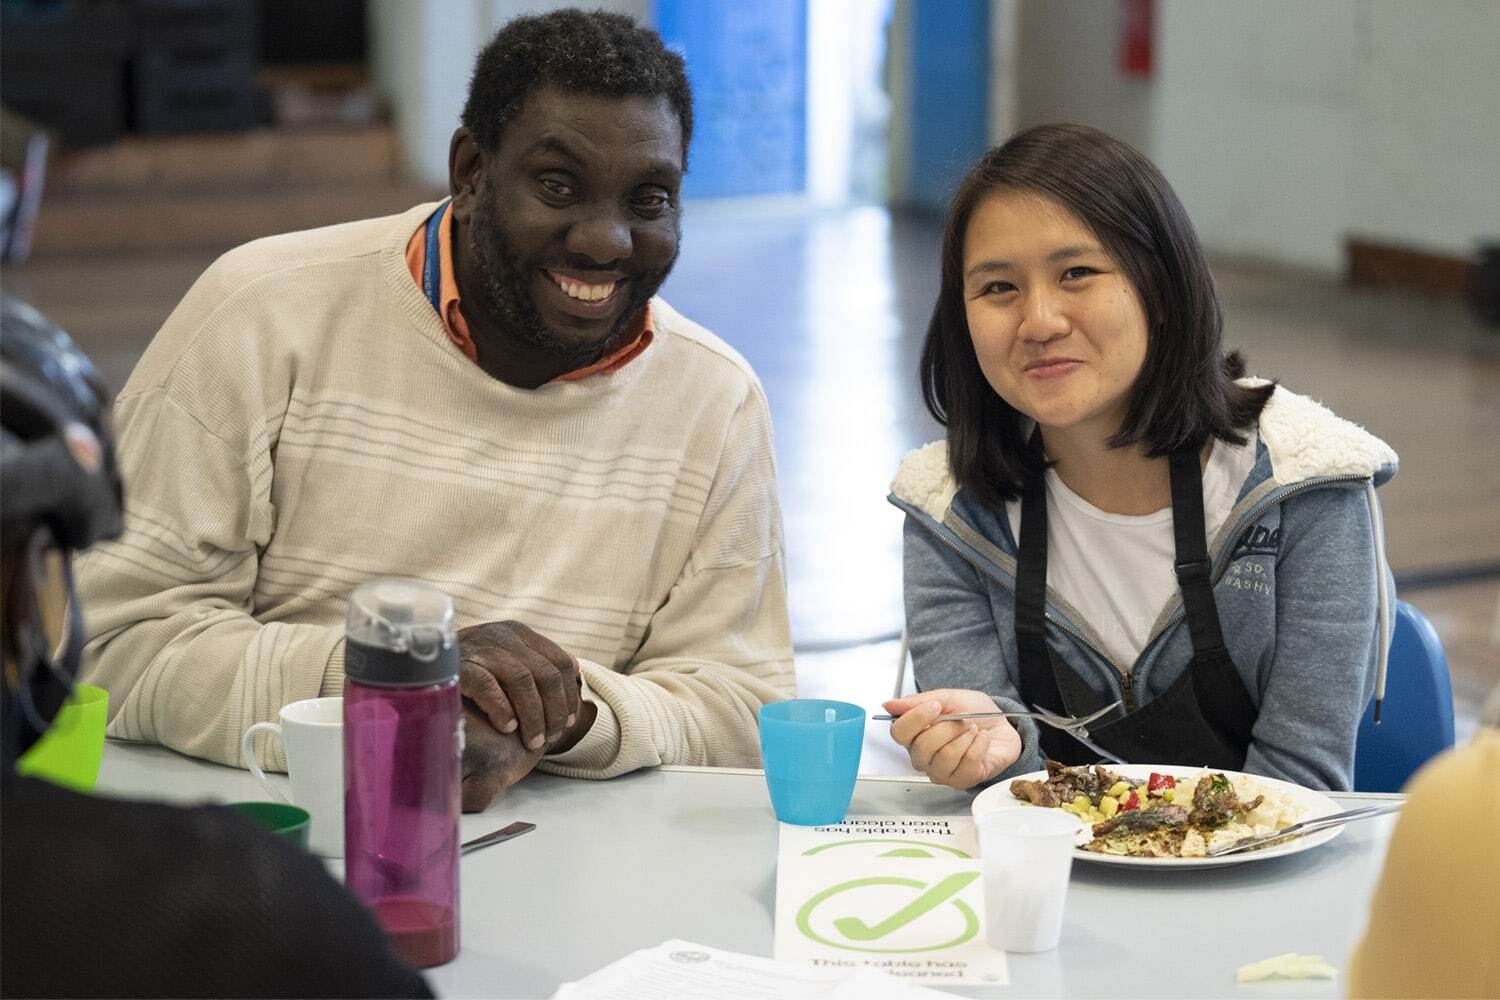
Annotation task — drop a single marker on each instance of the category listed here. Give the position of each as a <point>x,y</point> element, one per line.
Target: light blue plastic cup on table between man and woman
<point>811,750</point>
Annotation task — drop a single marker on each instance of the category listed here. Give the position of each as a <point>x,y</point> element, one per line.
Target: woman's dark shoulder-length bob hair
<point>1186,391</point>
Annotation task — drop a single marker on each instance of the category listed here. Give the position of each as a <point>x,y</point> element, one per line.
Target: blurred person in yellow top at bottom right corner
<point>1435,921</point>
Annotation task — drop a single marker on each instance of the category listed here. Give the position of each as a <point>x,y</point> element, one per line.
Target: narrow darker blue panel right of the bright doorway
<point>950,95</point>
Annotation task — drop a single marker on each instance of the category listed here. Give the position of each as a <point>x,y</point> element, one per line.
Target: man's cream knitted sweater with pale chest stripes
<point>302,424</point>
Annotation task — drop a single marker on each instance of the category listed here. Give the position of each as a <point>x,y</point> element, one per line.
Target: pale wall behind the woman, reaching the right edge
<point>1286,125</point>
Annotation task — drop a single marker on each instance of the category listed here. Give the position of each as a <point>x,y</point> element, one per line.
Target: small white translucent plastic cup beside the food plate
<point>1027,855</point>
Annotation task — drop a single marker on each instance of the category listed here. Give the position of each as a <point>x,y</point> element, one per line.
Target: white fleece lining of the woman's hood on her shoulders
<point>1304,440</point>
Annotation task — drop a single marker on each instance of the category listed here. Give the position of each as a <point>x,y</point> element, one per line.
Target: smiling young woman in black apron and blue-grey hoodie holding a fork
<point>1117,515</point>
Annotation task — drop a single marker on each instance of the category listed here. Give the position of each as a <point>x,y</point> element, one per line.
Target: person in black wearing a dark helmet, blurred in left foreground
<point>109,897</point>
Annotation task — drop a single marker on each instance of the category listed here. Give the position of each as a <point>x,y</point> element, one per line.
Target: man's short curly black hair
<point>587,52</point>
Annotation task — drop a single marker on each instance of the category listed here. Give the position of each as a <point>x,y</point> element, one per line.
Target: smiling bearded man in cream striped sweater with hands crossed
<point>485,395</point>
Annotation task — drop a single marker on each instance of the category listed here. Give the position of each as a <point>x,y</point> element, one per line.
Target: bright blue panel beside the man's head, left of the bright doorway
<point>748,64</point>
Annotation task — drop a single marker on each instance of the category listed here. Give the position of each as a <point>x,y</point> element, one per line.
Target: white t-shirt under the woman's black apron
<point>1118,569</point>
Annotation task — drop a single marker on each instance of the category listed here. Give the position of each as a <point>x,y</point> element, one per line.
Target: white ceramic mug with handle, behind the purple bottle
<point>313,734</point>
